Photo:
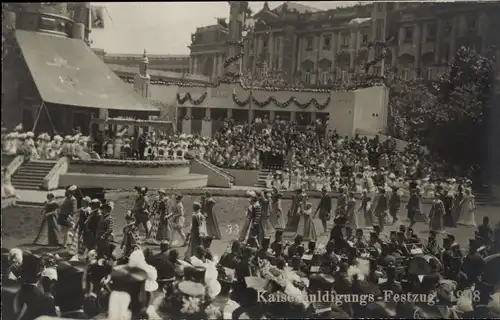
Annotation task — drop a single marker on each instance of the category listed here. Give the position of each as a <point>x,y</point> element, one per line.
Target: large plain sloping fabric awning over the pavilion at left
<point>67,72</point>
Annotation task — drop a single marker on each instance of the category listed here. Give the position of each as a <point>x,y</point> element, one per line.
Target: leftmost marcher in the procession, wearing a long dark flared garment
<point>49,230</point>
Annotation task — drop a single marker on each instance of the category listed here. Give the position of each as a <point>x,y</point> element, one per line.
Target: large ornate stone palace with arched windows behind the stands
<point>312,47</point>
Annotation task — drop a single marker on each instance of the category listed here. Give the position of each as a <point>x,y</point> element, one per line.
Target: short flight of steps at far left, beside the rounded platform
<point>30,174</point>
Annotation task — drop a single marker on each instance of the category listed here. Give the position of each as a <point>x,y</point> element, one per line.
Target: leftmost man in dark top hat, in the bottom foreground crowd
<point>30,301</point>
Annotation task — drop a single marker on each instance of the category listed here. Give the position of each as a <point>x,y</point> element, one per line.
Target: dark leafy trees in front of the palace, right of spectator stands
<point>449,115</point>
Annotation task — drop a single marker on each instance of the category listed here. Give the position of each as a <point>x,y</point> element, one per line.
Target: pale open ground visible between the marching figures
<point>19,224</point>
